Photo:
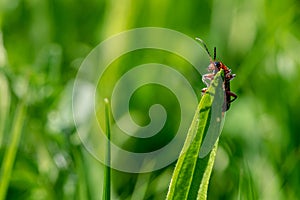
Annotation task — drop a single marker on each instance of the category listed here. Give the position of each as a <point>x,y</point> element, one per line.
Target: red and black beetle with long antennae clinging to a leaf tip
<point>214,67</point>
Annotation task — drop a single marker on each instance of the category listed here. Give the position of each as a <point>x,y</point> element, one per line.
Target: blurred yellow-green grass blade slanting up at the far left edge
<point>10,154</point>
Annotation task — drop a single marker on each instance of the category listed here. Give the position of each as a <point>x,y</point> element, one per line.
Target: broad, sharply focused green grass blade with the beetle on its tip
<point>191,174</point>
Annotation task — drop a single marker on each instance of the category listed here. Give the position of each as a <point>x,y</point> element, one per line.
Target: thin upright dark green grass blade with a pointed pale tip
<point>107,171</point>
